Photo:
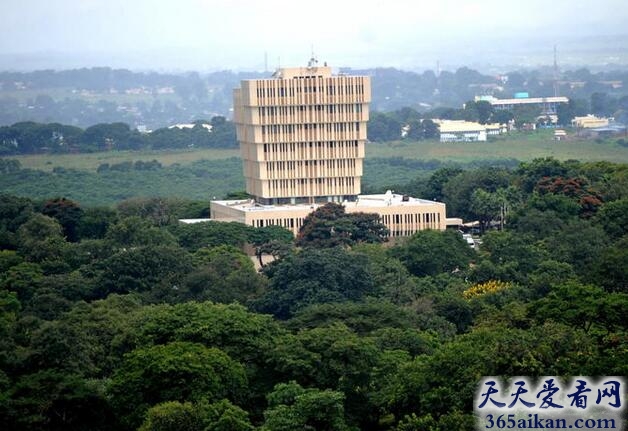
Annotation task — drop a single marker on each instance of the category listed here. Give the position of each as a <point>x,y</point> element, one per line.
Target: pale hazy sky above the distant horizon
<point>220,34</point>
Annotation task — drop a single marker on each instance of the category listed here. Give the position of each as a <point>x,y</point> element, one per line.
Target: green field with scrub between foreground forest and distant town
<point>204,173</point>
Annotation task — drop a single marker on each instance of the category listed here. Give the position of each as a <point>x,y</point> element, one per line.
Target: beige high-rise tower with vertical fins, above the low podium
<point>302,135</point>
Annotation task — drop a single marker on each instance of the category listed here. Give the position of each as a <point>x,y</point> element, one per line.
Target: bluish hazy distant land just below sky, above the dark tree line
<point>84,97</point>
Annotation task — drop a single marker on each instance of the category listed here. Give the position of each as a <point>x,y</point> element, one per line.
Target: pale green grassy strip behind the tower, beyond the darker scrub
<point>520,146</point>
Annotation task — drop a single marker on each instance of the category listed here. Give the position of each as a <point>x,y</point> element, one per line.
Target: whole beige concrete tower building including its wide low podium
<point>302,135</point>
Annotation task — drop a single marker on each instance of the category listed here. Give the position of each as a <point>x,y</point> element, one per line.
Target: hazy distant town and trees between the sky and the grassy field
<point>463,105</point>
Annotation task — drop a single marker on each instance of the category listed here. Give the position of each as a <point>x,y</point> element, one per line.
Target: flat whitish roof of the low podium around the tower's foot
<point>363,201</point>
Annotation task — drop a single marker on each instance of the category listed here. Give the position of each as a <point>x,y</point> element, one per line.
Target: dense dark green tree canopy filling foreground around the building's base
<point>121,318</point>
